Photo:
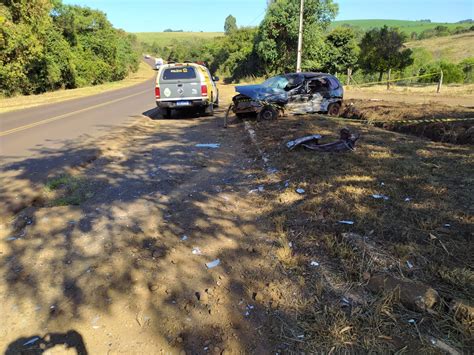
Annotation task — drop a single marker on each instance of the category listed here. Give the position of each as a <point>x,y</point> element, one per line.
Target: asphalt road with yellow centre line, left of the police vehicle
<point>28,132</point>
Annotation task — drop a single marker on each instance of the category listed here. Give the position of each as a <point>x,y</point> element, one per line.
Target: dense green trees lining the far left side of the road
<point>47,45</point>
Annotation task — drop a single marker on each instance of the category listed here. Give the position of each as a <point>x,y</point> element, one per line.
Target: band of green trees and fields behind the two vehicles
<point>369,51</point>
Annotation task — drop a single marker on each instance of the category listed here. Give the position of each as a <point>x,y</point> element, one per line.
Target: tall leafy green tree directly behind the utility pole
<point>278,34</point>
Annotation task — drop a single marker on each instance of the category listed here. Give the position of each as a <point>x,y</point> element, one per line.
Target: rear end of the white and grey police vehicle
<point>181,84</point>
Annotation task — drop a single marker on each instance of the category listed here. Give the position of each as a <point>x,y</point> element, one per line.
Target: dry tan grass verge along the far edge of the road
<point>20,102</point>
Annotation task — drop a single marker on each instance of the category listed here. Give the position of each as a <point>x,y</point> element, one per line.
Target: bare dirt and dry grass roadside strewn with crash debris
<point>111,255</point>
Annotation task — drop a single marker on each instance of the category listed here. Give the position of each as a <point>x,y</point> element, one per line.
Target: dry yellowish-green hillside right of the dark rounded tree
<point>453,48</point>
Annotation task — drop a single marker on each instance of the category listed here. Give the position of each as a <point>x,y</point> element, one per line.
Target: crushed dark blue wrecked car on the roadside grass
<point>297,93</point>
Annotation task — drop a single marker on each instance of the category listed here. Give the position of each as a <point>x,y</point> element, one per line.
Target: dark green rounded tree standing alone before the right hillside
<point>382,49</point>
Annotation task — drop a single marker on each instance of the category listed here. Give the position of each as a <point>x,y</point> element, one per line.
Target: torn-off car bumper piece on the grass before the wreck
<point>345,143</point>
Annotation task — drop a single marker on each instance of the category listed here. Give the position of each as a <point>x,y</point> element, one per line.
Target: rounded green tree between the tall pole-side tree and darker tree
<point>342,48</point>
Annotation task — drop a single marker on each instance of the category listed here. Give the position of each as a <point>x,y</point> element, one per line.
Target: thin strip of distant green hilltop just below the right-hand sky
<point>406,26</point>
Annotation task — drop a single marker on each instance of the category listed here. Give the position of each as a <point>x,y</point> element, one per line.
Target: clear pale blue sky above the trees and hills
<point>209,15</point>
